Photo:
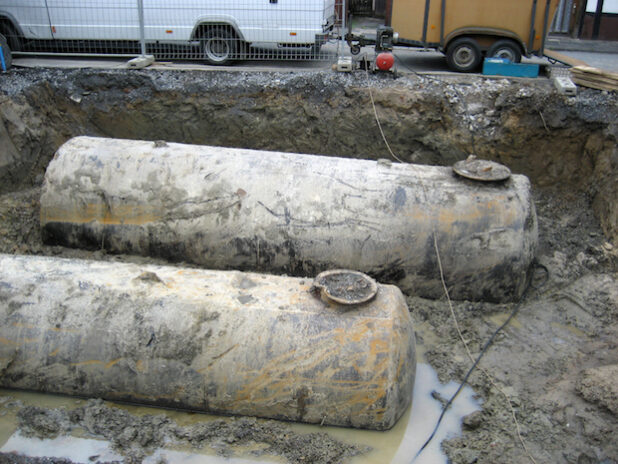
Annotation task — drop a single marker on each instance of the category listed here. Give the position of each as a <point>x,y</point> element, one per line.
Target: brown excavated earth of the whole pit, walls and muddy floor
<point>554,359</point>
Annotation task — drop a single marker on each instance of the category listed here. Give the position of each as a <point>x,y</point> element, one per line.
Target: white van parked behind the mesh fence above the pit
<point>222,29</point>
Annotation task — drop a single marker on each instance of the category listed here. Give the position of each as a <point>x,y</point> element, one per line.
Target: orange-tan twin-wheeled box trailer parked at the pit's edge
<point>466,31</point>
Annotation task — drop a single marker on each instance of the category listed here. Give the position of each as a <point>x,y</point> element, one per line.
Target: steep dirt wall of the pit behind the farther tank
<point>563,142</point>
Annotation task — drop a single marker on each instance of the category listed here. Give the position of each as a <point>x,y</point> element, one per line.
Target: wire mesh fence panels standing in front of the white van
<point>213,31</point>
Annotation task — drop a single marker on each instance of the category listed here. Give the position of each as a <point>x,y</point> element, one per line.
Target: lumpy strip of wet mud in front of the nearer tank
<point>137,436</point>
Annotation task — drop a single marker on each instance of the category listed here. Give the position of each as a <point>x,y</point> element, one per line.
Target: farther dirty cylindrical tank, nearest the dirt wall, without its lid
<point>228,208</point>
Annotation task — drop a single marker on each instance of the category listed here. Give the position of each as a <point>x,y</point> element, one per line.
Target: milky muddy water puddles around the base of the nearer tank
<point>397,446</point>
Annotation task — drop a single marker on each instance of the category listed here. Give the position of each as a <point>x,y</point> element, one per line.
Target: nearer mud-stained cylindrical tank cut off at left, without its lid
<point>216,341</point>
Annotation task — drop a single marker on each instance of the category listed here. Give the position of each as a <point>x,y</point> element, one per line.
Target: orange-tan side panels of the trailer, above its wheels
<point>508,15</point>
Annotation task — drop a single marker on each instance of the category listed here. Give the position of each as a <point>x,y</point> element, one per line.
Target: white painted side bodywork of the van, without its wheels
<point>286,21</point>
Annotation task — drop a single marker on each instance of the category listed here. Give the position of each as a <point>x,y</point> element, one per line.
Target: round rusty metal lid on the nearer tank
<point>345,287</point>
